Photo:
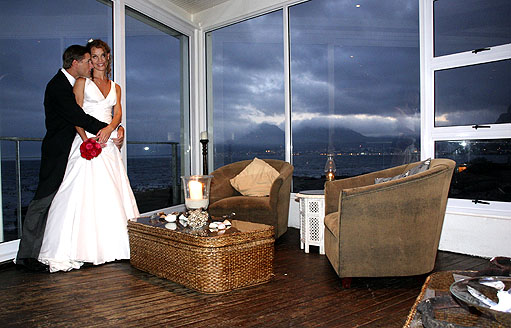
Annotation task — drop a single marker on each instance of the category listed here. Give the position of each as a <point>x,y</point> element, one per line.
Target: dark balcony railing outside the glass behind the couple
<point>18,140</point>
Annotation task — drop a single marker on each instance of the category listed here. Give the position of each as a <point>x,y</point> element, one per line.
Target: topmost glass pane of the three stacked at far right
<point>463,25</point>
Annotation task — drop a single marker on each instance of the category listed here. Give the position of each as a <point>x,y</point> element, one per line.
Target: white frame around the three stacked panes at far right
<point>430,134</point>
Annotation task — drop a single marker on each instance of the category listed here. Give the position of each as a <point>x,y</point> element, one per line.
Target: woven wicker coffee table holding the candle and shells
<point>209,262</point>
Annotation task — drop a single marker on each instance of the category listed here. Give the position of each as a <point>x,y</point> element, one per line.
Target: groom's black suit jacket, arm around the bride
<point>62,114</point>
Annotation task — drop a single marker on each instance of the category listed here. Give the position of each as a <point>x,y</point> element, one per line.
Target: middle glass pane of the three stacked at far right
<point>478,94</point>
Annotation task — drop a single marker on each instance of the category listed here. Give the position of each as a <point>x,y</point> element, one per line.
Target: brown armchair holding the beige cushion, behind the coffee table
<point>272,210</point>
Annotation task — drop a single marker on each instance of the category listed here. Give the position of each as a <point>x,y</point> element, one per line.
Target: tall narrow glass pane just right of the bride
<point>157,110</point>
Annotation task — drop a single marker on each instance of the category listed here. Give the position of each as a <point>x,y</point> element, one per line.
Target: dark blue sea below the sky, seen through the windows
<point>155,173</point>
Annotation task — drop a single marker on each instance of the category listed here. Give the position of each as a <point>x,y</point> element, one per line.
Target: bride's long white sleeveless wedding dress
<point>87,220</point>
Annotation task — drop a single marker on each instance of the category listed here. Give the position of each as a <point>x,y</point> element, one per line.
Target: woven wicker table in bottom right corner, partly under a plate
<point>447,315</point>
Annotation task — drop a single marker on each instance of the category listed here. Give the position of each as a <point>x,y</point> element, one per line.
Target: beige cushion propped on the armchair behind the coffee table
<point>256,179</point>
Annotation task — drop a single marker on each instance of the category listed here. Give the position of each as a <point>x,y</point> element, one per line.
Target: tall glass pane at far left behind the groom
<point>31,53</point>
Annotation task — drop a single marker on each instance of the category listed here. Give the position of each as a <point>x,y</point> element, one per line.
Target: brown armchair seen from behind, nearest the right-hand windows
<point>387,229</point>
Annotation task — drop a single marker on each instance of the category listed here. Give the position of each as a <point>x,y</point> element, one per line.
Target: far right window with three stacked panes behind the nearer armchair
<point>471,75</point>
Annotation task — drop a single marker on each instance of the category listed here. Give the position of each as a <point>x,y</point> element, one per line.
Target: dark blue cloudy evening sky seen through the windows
<point>351,67</point>
